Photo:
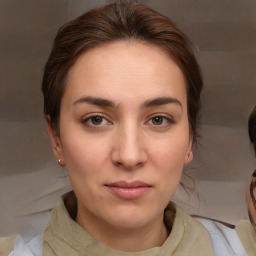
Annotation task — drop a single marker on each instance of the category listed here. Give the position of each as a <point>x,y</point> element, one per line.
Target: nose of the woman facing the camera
<point>129,151</point>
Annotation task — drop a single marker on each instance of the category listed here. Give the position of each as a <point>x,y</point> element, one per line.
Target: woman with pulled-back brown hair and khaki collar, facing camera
<point>121,100</point>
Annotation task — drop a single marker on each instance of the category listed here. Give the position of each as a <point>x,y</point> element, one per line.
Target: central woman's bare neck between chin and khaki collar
<point>123,238</point>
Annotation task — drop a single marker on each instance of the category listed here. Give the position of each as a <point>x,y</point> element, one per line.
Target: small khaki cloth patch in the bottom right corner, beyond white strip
<point>247,235</point>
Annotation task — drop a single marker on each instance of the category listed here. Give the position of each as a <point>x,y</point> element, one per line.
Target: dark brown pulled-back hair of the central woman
<point>118,21</point>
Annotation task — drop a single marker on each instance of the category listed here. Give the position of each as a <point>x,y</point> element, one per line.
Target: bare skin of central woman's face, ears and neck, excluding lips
<point>141,134</point>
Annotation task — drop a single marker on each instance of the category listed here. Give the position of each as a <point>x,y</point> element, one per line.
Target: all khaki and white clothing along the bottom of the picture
<point>64,237</point>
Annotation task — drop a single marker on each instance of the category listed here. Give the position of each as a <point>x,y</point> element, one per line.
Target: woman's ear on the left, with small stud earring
<point>56,143</point>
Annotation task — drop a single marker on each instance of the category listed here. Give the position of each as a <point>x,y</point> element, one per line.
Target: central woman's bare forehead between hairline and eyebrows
<point>125,69</point>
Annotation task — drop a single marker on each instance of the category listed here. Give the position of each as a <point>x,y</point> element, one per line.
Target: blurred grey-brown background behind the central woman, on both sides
<point>224,34</point>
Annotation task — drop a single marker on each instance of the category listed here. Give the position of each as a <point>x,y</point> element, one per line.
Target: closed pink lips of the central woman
<point>129,190</point>
